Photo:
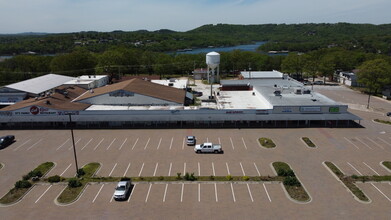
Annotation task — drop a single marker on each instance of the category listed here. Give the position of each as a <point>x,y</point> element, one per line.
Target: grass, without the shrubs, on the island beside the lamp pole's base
<point>70,194</point>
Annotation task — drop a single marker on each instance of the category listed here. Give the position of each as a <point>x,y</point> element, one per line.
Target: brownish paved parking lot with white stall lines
<point>164,153</point>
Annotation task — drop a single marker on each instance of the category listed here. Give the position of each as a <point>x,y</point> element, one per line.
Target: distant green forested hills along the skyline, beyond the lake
<point>292,37</point>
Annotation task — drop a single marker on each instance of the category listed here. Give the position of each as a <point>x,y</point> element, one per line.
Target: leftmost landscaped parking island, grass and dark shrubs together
<point>24,185</point>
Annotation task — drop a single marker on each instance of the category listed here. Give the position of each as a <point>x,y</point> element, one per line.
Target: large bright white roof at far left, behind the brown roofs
<point>40,84</point>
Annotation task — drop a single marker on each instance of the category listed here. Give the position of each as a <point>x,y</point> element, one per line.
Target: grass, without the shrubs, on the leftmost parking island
<point>15,194</point>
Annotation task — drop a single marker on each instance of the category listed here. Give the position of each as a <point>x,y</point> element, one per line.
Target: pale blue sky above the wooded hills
<point>181,15</point>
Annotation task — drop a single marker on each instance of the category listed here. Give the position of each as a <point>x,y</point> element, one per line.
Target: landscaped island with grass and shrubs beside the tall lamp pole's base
<point>77,184</point>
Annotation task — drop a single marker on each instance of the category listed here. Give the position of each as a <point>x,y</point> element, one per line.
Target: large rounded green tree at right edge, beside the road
<point>374,74</point>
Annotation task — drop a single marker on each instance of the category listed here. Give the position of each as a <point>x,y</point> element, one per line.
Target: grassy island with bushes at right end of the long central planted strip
<point>292,185</point>
